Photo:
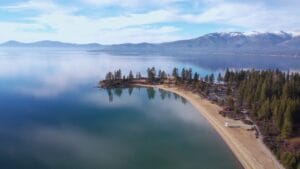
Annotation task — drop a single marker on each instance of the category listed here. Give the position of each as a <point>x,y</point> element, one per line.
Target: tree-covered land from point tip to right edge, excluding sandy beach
<point>268,98</point>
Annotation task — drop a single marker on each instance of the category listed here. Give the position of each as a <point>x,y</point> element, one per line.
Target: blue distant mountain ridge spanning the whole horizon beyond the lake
<point>235,42</point>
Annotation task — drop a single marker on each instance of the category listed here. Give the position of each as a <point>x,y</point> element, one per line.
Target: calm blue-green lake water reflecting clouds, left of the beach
<point>52,116</point>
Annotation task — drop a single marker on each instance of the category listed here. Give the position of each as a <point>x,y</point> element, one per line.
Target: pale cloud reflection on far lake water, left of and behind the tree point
<point>47,73</point>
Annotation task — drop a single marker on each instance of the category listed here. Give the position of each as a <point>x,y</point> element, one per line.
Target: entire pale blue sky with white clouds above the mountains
<point>135,21</point>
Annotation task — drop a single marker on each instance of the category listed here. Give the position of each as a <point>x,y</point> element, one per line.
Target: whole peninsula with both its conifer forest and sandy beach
<point>247,126</point>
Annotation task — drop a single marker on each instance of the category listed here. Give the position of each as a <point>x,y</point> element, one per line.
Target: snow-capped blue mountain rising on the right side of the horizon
<point>235,40</point>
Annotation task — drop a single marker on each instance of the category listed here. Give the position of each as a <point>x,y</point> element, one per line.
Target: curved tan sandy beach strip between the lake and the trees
<point>251,152</point>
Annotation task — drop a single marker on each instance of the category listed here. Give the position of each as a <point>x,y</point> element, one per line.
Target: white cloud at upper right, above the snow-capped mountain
<point>249,16</point>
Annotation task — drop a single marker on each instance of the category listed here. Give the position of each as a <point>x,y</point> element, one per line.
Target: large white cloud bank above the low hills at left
<point>82,29</point>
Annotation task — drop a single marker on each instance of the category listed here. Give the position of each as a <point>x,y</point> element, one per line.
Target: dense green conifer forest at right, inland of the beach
<point>273,99</point>
